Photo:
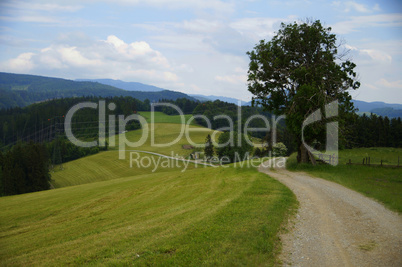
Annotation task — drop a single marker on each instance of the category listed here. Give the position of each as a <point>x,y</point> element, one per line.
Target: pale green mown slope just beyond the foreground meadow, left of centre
<point>107,166</point>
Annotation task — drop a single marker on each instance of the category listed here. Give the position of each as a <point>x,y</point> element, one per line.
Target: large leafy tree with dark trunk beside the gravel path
<point>298,72</point>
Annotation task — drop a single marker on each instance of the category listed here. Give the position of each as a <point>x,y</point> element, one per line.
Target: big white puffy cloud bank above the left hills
<point>110,58</point>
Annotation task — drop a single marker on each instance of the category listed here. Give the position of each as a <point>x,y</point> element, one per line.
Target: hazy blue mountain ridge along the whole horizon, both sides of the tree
<point>19,90</point>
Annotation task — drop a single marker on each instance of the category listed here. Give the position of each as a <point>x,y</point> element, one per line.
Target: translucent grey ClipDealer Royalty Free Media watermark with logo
<point>146,159</point>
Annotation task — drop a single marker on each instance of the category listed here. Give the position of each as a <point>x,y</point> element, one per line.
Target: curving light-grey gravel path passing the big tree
<point>336,226</point>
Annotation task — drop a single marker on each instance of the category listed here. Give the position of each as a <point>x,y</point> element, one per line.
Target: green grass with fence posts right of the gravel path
<point>381,183</point>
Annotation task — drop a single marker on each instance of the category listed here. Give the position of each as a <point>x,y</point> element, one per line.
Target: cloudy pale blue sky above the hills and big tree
<point>192,46</point>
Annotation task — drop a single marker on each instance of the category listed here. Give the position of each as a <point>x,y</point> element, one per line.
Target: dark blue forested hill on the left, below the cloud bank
<point>19,90</point>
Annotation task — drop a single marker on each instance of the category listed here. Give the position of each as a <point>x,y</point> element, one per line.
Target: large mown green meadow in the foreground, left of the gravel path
<point>210,216</point>
